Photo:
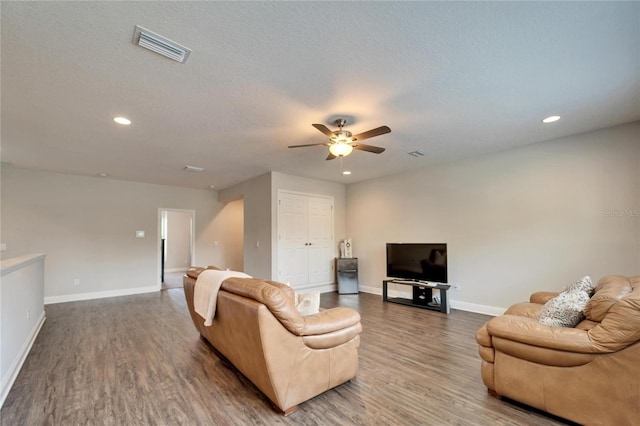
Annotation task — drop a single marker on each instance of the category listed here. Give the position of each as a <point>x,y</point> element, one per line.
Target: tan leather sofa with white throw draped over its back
<point>290,358</point>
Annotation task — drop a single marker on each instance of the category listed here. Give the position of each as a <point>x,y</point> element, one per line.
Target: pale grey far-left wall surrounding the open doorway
<point>87,226</point>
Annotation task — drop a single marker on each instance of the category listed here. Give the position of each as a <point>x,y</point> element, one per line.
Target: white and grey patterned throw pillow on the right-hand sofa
<point>567,309</point>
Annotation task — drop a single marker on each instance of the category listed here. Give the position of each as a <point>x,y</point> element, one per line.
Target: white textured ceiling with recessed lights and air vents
<point>452,79</point>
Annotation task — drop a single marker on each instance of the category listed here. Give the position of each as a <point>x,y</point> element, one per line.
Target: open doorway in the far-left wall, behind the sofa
<point>176,245</point>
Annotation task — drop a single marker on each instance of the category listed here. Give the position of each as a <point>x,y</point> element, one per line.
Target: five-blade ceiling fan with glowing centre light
<point>342,142</point>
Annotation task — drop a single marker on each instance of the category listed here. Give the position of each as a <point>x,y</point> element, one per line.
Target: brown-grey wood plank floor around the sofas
<point>139,360</point>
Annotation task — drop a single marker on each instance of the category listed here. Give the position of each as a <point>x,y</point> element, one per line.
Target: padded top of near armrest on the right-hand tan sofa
<point>529,331</point>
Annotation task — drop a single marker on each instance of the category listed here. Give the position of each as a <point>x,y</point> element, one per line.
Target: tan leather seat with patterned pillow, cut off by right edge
<point>589,374</point>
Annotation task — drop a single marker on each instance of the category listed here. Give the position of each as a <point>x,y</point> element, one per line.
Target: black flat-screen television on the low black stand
<point>417,261</point>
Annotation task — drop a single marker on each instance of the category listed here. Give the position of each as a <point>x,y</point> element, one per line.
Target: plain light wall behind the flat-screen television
<point>518,221</point>
